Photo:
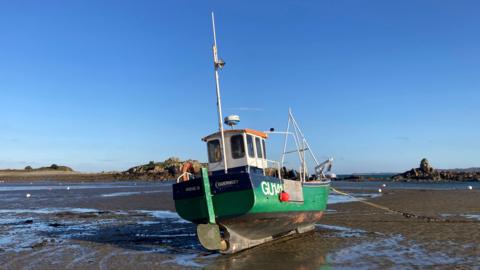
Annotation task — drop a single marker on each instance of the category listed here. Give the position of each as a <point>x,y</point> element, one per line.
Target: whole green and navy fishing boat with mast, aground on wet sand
<point>244,199</point>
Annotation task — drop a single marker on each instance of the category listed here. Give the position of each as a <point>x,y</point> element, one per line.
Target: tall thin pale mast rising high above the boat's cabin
<point>218,64</point>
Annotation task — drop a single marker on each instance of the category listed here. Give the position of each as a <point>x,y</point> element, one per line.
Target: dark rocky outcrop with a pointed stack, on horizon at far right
<point>426,173</point>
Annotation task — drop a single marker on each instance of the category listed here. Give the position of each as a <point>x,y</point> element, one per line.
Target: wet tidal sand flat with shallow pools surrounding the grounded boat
<point>133,226</point>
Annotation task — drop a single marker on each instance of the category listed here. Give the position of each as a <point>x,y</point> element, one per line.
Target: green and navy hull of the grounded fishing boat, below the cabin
<point>248,208</point>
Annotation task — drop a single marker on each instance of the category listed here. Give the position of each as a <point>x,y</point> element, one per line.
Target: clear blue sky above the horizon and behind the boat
<point>105,85</point>
